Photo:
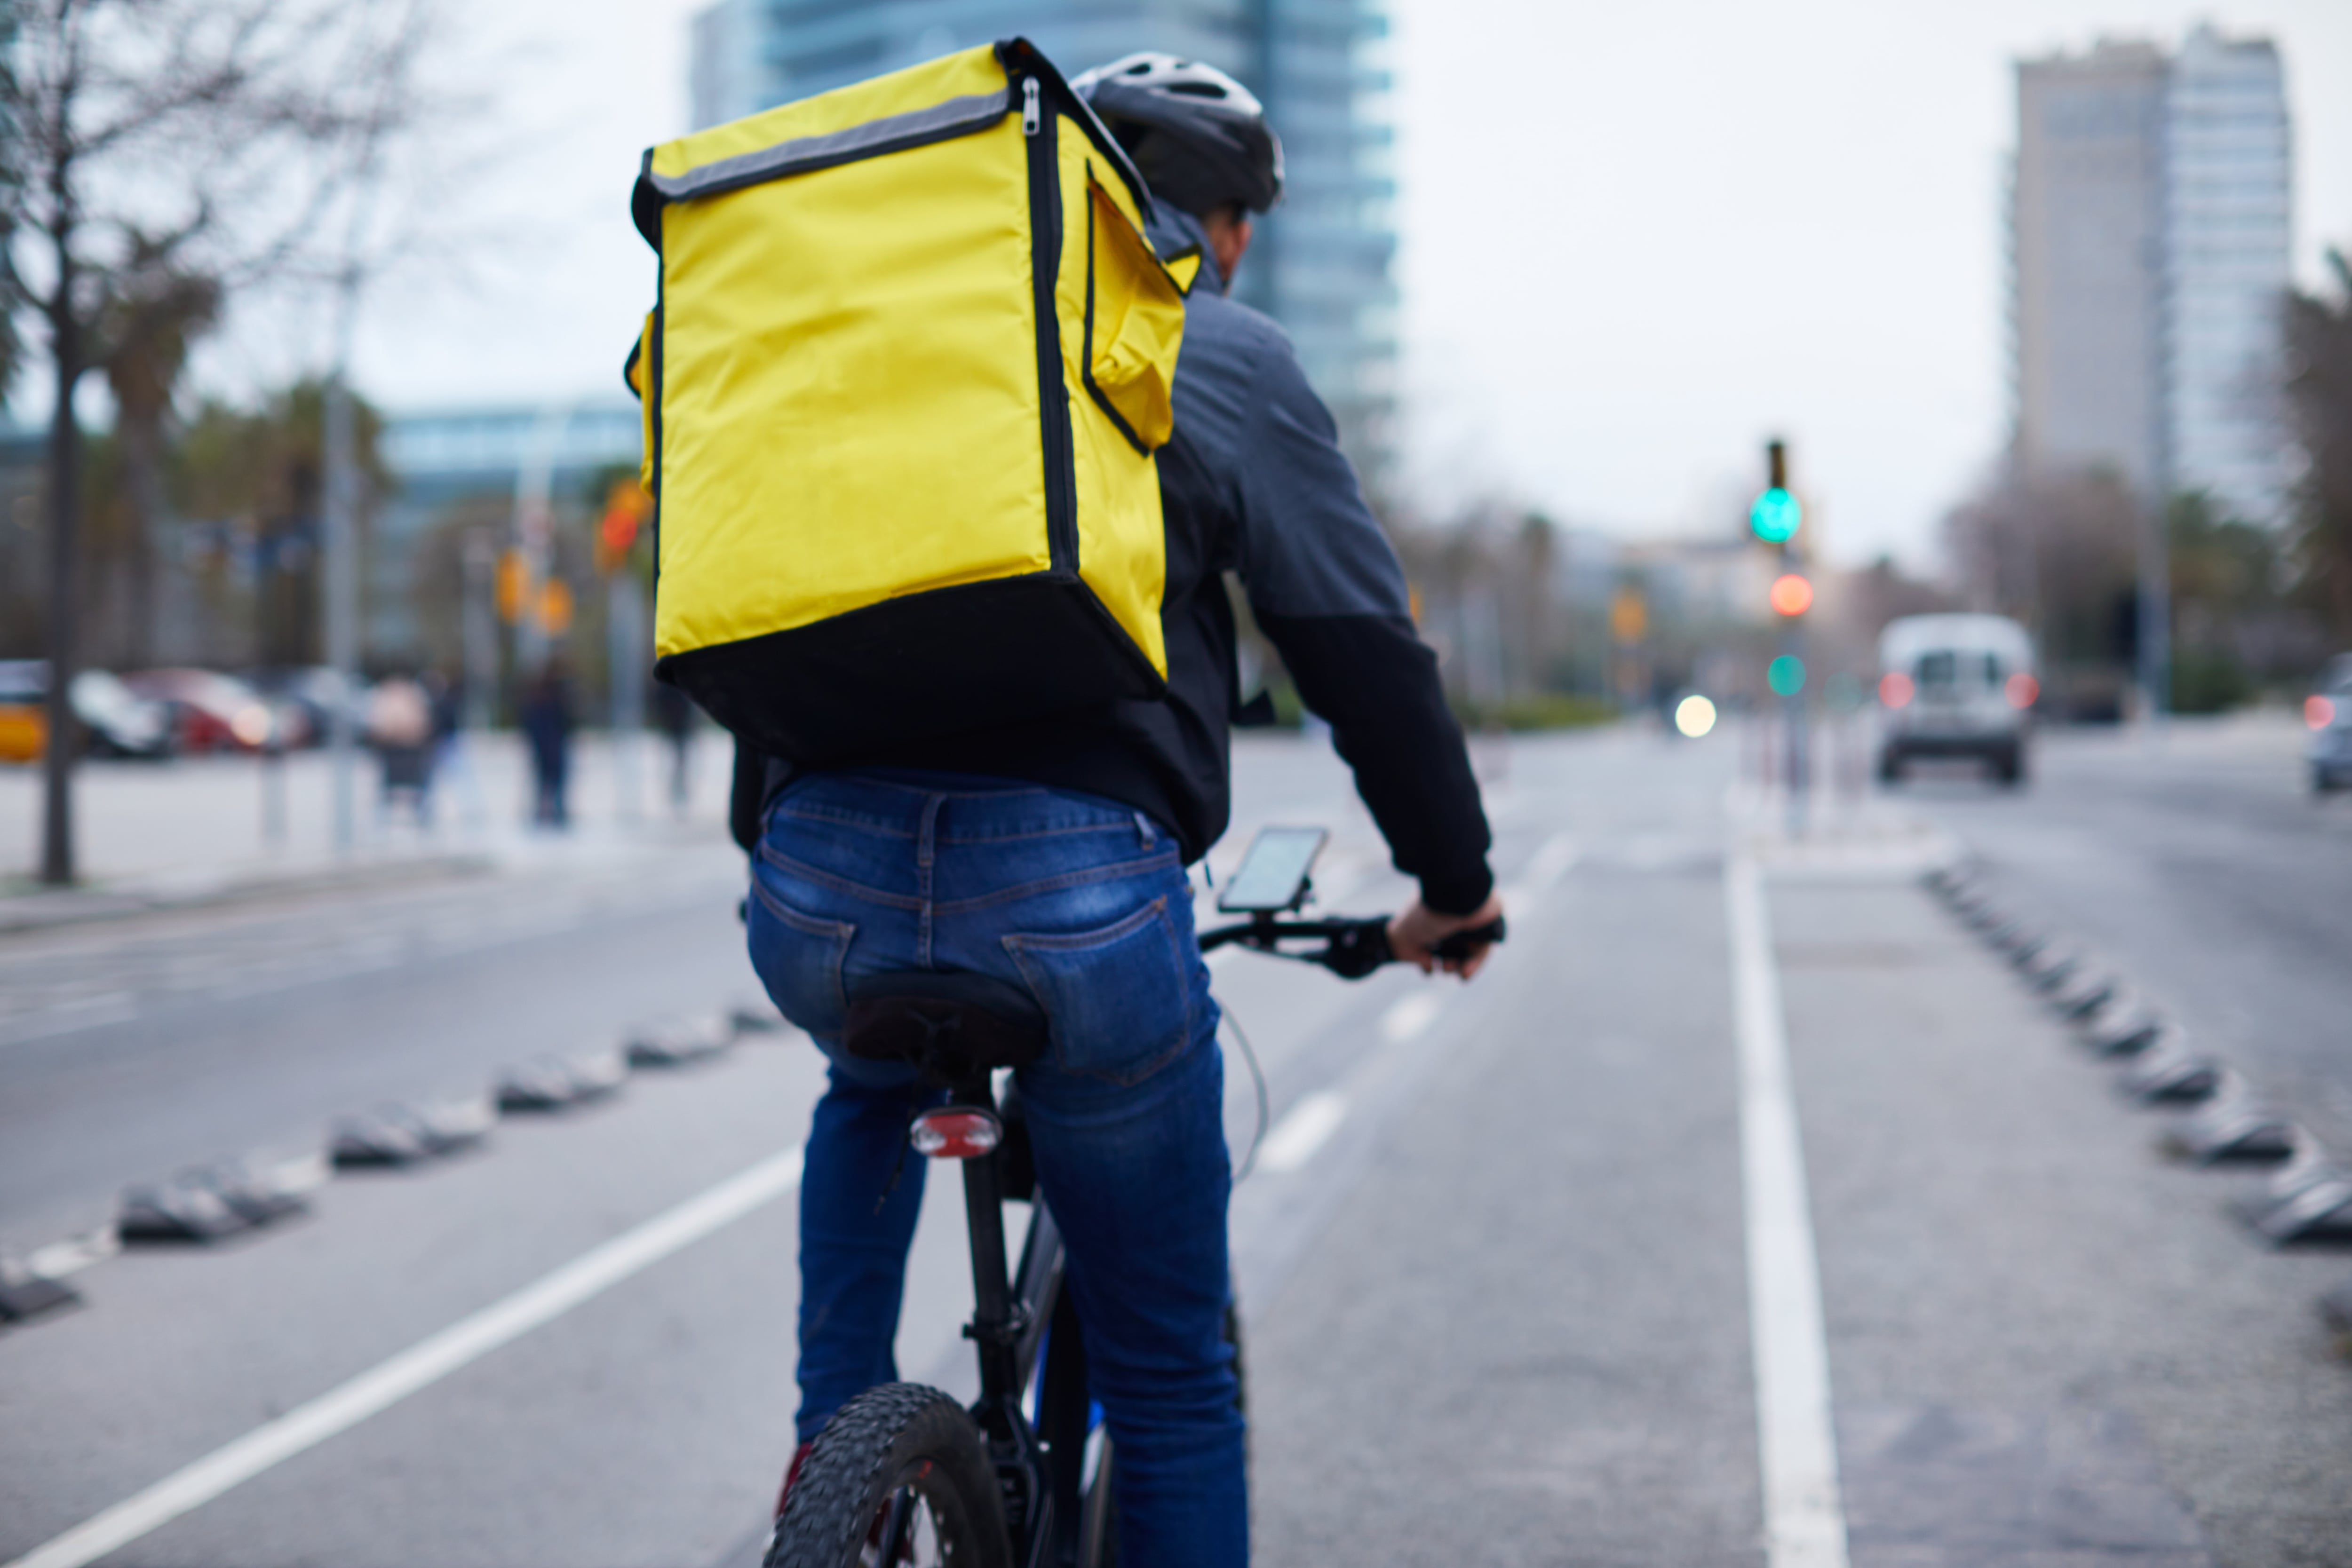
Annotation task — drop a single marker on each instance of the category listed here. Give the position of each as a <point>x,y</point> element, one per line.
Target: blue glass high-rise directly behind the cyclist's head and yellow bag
<point>1321,262</point>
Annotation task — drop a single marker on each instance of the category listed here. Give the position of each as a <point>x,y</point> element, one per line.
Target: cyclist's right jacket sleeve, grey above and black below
<point>1328,589</point>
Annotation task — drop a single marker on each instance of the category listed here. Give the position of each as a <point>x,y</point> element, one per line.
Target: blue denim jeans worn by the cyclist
<point>1085,906</point>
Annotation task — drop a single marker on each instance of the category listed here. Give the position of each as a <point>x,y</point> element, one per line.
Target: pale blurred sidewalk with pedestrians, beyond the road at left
<point>213,829</point>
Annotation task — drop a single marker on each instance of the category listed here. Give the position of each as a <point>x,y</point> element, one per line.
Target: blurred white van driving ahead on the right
<point>1956,688</point>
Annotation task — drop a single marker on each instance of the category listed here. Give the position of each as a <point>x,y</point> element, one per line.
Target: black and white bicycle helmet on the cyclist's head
<point>1198,138</point>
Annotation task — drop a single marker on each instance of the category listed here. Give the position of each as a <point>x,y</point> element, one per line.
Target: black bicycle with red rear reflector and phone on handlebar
<point>1022,1477</point>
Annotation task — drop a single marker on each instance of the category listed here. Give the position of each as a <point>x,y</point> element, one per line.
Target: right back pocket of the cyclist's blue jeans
<point>1118,1000</point>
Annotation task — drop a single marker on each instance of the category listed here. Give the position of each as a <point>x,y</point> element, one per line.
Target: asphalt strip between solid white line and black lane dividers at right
<point>2050,1341</point>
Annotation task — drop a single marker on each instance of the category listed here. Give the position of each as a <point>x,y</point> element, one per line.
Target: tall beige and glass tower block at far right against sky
<point>2151,248</point>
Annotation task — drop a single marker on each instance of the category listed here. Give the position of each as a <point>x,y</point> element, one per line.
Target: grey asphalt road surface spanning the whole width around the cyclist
<point>1495,1259</point>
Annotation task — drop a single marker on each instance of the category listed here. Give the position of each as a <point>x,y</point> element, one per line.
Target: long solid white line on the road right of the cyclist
<point>1805,1520</point>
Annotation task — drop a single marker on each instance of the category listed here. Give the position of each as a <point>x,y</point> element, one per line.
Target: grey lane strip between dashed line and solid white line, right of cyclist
<point>1523,1336</point>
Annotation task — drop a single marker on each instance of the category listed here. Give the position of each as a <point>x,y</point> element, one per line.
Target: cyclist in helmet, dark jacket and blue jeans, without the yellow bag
<point>1053,855</point>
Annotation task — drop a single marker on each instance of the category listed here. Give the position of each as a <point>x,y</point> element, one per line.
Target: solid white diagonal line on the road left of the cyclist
<point>420,1367</point>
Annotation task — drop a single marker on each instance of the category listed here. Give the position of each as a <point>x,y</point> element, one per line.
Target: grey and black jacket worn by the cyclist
<point>1250,483</point>
